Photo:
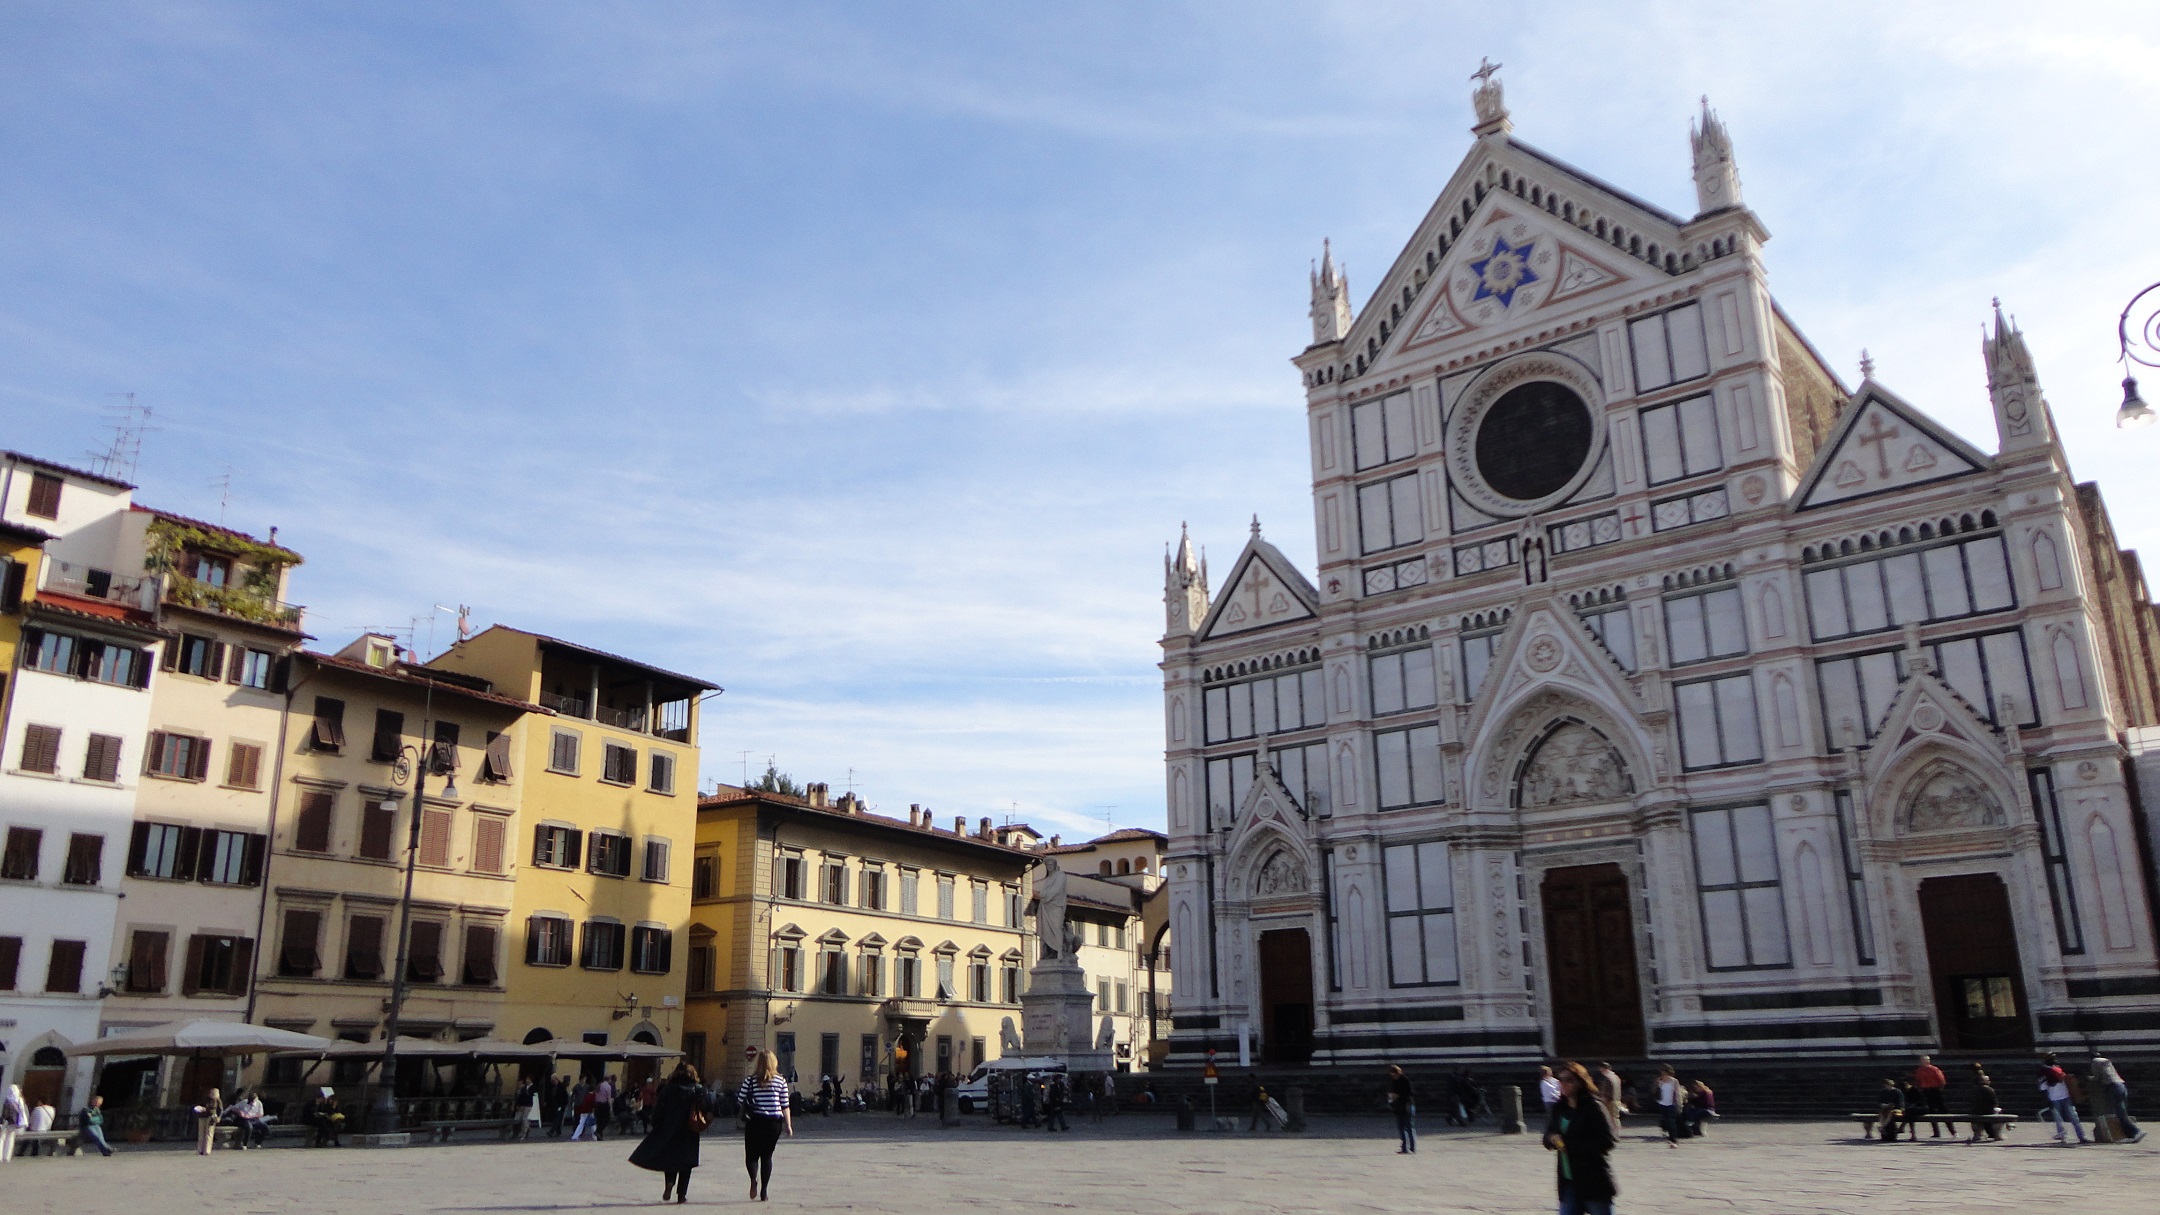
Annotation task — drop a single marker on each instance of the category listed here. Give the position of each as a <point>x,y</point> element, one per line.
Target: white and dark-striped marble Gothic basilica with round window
<point>1656,693</point>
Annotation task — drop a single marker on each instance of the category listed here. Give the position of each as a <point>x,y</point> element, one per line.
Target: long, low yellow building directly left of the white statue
<point>854,946</point>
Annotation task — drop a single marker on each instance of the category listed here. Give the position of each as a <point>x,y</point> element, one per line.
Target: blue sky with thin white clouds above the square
<point>865,358</point>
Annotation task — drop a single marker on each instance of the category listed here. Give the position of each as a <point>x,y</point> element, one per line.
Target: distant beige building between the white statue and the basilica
<point>1111,883</point>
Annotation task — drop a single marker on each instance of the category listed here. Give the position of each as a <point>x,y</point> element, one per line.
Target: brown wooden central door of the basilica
<point>1591,963</point>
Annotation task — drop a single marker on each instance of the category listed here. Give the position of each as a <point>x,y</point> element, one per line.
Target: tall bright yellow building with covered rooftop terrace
<point>610,792</point>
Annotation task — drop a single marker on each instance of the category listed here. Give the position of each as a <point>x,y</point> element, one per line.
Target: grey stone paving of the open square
<point>1126,1166</point>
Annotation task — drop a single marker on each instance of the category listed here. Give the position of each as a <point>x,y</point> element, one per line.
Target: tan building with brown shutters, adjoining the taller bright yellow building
<point>345,771</point>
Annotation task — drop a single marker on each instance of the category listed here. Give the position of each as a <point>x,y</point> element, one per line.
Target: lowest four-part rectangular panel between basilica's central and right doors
<point>1738,881</point>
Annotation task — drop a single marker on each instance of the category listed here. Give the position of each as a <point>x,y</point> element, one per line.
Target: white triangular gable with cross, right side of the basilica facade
<point>1882,444</point>
